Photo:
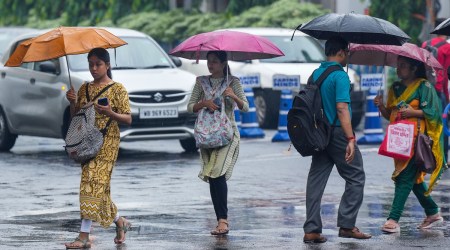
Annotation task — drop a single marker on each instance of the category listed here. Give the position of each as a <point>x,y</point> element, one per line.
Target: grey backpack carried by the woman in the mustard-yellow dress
<point>84,140</point>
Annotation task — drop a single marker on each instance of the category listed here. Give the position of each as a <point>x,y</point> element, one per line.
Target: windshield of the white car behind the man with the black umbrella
<point>302,49</point>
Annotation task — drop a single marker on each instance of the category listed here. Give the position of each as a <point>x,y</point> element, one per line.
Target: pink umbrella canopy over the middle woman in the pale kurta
<point>238,45</point>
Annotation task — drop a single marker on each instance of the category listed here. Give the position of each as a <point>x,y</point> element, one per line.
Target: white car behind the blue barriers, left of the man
<point>302,55</point>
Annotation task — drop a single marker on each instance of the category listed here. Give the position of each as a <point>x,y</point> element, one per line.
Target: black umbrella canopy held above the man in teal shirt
<point>355,28</point>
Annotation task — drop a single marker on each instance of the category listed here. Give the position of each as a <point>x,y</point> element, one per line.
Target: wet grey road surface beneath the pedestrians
<point>156,186</point>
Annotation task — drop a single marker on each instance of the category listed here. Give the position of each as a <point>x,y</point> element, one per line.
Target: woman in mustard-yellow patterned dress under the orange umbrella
<point>95,191</point>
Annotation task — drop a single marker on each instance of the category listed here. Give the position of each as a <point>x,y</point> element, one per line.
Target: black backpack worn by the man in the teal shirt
<point>307,124</point>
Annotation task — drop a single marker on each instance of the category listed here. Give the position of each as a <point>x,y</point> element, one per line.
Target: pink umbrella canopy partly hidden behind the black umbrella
<point>370,54</point>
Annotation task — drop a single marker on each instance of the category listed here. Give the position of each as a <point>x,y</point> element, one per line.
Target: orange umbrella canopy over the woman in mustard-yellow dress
<point>63,41</point>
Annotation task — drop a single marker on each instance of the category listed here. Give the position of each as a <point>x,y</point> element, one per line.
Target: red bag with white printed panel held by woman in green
<point>398,142</point>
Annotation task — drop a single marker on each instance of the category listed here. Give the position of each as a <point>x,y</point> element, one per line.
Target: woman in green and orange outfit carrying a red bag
<point>423,105</point>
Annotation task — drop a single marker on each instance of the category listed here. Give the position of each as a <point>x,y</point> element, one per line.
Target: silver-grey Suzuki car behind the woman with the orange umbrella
<point>33,102</point>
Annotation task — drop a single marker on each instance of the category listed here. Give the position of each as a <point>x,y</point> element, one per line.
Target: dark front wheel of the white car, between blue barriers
<point>267,103</point>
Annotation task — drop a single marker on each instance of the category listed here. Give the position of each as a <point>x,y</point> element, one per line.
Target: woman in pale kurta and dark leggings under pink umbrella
<point>217,163</point>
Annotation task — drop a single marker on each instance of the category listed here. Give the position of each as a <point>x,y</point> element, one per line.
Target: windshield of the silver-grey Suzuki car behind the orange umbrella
<point>139,53</point>
